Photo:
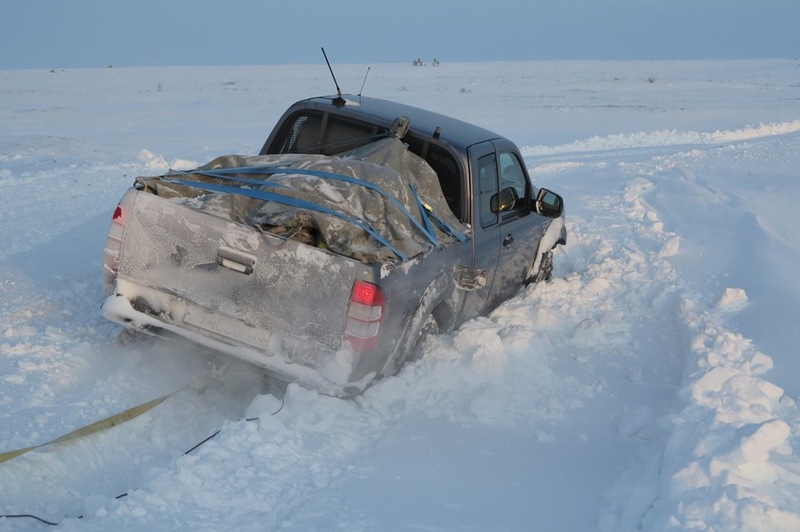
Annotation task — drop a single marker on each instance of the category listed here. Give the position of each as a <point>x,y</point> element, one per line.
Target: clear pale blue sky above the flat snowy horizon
<point>99,33</point>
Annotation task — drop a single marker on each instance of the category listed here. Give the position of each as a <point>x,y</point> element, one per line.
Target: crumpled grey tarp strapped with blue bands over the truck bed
<point>385,163</point>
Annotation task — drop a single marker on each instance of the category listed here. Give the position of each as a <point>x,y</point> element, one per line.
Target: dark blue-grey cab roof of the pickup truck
<point>456,132</point>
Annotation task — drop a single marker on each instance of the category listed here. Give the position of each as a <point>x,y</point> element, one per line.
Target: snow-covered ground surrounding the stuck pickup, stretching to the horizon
<point>652,384</point>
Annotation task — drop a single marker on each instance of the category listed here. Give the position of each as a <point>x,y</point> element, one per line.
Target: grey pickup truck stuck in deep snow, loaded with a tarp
<point>362,226</point>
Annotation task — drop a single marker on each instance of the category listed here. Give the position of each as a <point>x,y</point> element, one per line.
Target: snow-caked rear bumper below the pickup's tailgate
<point>323,369</point>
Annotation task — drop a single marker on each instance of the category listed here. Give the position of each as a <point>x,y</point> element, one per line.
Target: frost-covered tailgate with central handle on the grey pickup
<point>228,270</point>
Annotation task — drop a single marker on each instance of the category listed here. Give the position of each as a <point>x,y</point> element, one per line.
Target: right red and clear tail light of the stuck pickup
<point>362,328</point>
